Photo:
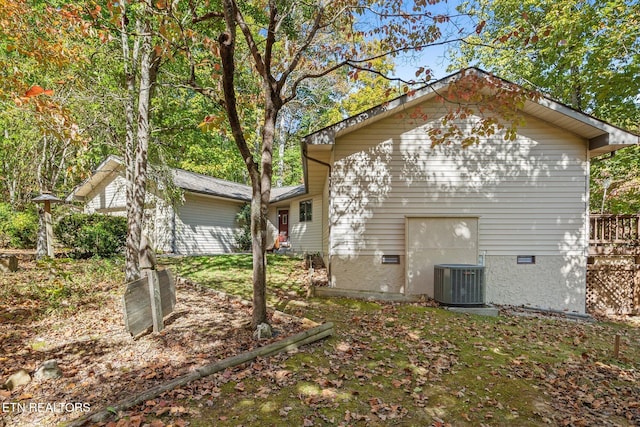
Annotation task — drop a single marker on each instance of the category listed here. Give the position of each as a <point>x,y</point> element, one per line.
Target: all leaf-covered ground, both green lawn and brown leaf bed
<point>387,364</point>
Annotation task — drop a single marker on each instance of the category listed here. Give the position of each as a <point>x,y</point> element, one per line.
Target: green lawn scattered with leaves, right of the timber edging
<point>413,364</point>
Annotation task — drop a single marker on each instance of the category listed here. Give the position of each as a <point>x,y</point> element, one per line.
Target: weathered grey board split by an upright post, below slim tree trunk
<point>137,302</point>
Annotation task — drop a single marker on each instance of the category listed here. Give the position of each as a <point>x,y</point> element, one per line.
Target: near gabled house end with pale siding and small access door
<point>393,206</point>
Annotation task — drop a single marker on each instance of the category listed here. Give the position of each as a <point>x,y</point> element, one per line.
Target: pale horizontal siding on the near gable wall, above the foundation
<point>529,194</point>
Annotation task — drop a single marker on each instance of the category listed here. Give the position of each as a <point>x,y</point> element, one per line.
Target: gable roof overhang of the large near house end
<point>602,136</point>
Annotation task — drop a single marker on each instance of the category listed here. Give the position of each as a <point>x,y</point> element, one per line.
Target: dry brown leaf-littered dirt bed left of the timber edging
<point>102,364</point>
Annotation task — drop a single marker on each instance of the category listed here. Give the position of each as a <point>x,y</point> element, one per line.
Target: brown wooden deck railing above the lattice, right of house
<point>614,230</point>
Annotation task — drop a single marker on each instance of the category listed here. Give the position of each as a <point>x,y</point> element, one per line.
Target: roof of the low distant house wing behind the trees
<point>188,181</point>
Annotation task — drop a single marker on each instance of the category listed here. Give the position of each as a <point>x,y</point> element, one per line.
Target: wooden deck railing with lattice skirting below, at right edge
<point>613,272</point>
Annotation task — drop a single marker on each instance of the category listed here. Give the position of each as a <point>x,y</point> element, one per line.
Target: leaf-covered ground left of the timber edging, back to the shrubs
<point>71,311</point>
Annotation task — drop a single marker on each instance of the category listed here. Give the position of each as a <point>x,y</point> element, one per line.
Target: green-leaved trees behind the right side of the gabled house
<point>583,53</point>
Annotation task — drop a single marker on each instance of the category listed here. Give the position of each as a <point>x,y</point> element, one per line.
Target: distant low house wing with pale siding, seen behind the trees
<point>203,222</point>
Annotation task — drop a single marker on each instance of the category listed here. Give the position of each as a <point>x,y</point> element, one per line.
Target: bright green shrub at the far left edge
<point>18,229</point>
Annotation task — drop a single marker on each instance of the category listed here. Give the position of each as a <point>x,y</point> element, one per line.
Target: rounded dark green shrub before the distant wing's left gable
<point>92,235</point>
